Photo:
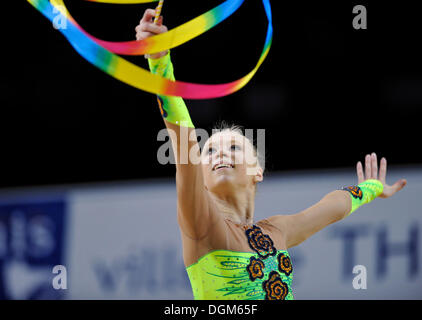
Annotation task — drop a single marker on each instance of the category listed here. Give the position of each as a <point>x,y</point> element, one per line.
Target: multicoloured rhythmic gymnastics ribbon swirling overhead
<point>103,54</point>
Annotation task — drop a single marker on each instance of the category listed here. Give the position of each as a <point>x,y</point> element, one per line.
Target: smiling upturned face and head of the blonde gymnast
<point>229,163</point>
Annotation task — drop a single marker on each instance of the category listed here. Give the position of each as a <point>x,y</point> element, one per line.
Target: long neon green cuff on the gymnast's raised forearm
<point>173,109</point>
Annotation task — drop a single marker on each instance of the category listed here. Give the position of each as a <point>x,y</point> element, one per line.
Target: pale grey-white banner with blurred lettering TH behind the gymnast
<point>122,241</point>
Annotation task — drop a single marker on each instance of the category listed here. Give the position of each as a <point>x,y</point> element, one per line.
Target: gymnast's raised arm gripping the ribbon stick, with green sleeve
<point>194,206</point>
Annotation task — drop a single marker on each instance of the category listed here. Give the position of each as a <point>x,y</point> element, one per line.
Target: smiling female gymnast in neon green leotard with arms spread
<point>227,255</point>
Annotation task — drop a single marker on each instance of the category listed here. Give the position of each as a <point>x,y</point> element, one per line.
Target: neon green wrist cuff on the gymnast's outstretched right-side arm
<point>364,192</point>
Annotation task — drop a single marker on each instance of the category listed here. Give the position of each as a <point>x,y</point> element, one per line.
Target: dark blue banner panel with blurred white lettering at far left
<point>31,244</point>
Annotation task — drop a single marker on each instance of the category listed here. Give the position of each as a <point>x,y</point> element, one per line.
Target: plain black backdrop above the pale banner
<point>327,94</point>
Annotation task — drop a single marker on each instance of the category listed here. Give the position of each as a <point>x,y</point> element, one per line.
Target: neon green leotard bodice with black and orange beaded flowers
<point>265,273</point>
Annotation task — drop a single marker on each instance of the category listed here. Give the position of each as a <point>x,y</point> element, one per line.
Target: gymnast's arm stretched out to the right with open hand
<point>338,204</point>
